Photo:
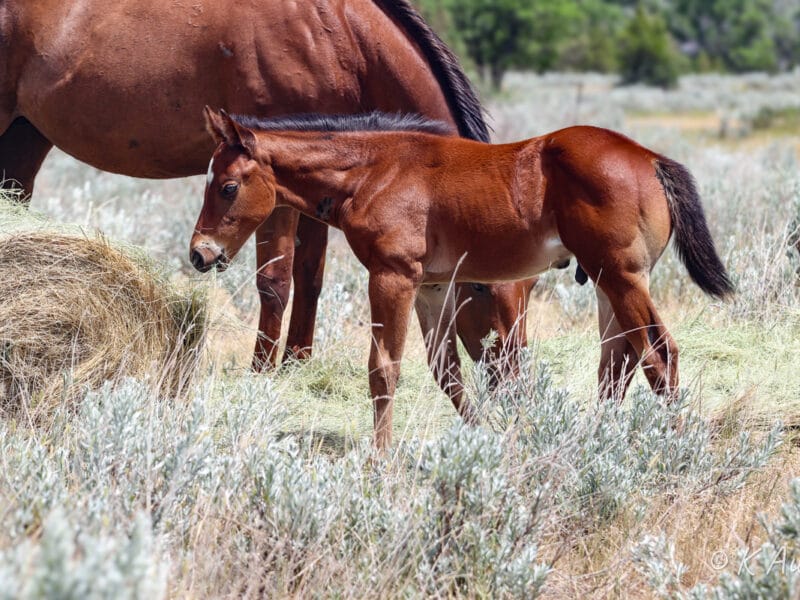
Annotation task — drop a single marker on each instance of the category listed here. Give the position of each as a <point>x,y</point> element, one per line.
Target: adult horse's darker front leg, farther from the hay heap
<point>309,267</point>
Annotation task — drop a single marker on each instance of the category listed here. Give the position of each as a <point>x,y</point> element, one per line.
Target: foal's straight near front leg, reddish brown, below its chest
<point>391,296</point>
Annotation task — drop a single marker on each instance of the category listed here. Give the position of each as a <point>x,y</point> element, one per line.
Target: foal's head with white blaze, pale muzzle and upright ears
<point>240,194</point>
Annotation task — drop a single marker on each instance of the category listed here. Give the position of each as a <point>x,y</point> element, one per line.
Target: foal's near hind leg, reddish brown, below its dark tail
<point>638,319</point>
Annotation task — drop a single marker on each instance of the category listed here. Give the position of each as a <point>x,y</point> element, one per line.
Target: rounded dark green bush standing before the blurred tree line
<point>647,52</point>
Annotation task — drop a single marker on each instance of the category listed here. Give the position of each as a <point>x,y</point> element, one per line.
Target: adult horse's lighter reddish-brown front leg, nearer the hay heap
<point>275,240</point>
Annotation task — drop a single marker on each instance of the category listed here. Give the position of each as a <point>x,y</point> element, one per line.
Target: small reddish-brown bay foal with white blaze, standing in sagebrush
<point>420,208</point>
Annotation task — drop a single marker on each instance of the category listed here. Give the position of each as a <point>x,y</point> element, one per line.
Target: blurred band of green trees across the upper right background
<point>651,41</point>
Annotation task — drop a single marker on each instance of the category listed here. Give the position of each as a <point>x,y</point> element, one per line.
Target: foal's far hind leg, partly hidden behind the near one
<point>618,358</point>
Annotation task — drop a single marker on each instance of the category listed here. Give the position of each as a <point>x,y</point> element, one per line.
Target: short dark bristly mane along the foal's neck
<point>374,121</point>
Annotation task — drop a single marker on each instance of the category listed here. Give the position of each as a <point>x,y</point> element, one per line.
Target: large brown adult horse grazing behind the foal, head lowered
<point>121,86</point>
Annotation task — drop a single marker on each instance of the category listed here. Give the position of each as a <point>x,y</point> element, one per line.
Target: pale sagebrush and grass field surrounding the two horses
<point>266,485</point>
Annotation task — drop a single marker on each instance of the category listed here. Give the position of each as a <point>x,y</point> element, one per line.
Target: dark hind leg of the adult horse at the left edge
<point>22,151</point>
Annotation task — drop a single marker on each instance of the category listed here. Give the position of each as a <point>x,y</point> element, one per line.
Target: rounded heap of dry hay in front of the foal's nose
<point>76,312</point>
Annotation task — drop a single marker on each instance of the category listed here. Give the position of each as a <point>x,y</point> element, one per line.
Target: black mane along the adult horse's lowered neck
<point>458,91</point>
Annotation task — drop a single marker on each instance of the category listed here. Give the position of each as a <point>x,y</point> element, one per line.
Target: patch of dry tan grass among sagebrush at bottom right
<point>708,531</point>
